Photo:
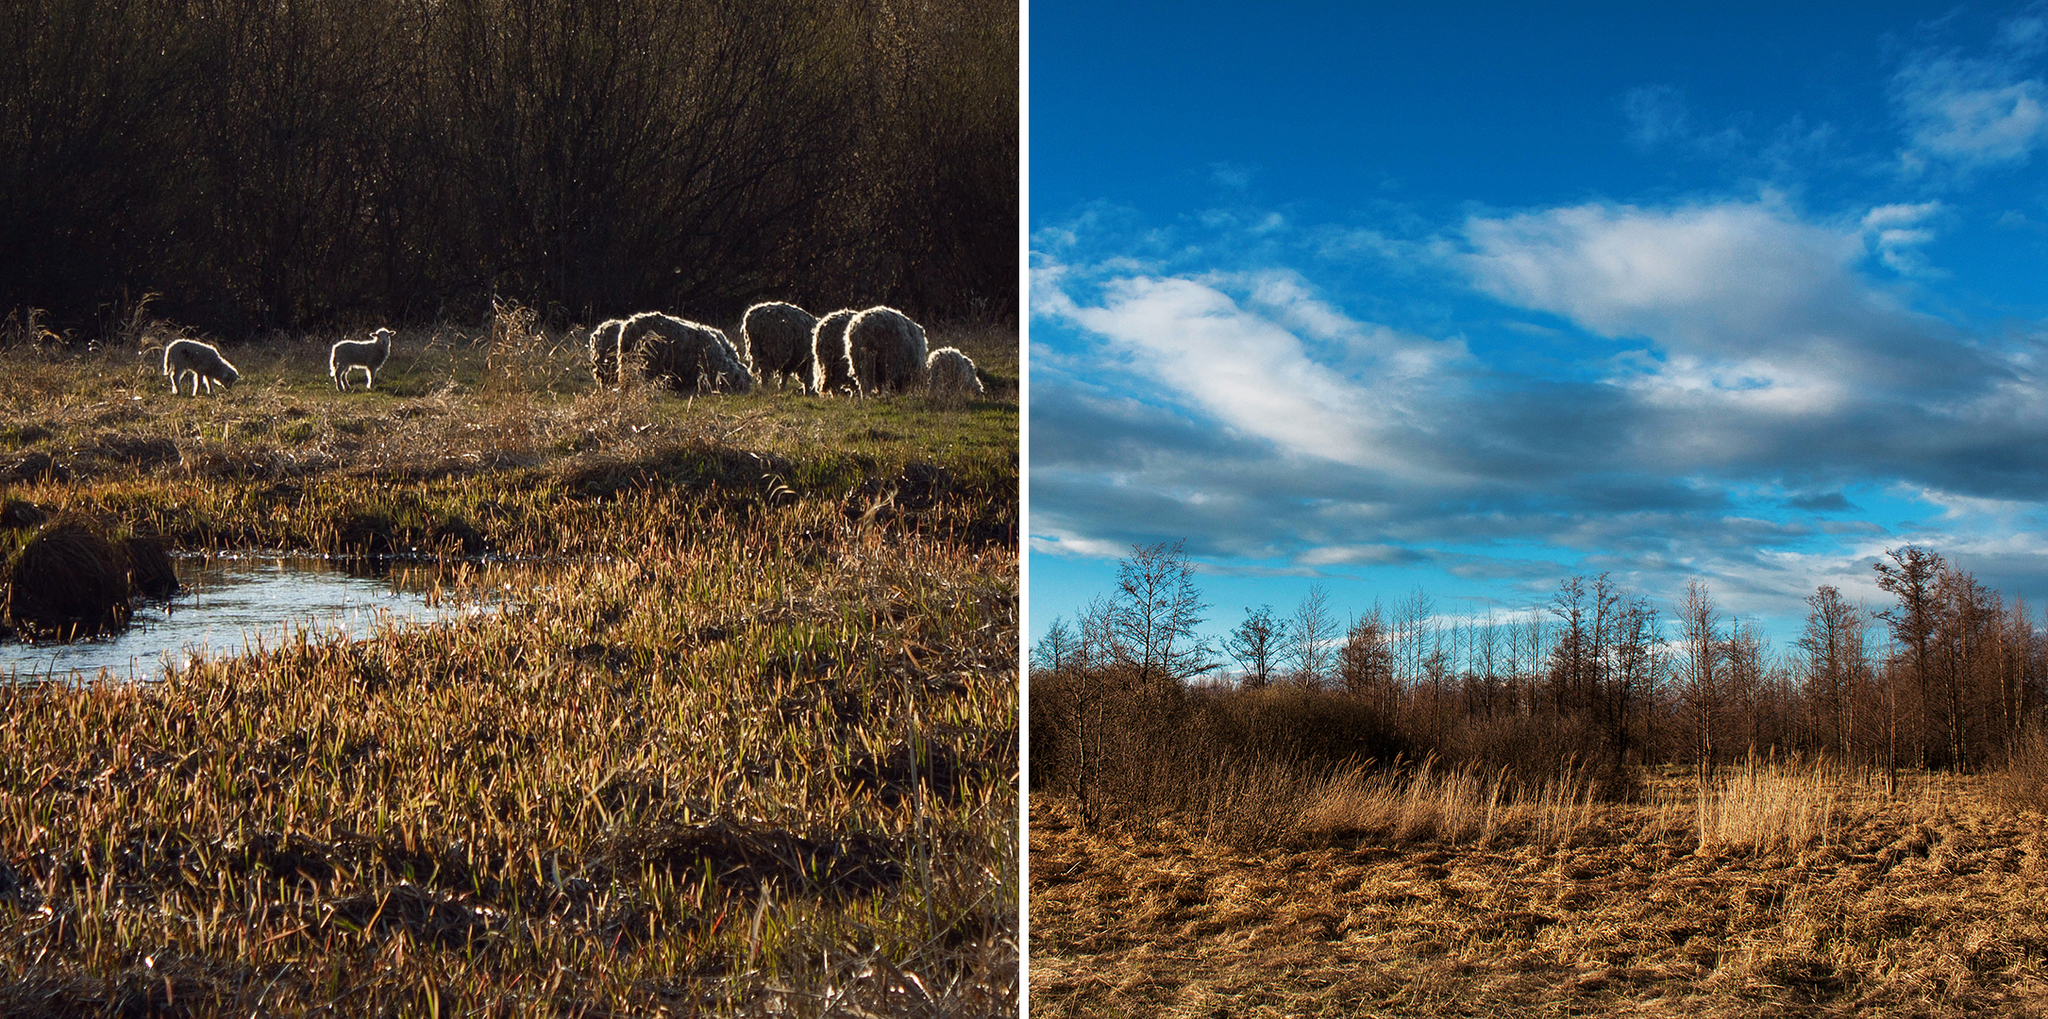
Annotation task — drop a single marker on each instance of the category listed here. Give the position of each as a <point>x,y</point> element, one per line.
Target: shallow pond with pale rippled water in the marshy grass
<point>228,605</point>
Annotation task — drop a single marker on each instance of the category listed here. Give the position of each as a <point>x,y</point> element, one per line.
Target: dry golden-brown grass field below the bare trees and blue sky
<point>1916,905</point>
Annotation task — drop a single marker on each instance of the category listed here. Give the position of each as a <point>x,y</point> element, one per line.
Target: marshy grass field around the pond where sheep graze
<point>742,740</point>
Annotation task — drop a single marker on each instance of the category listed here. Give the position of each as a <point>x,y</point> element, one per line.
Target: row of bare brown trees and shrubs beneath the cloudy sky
<point>1127,703</point>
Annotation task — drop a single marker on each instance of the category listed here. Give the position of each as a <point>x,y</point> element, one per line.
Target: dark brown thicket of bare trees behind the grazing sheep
<point>273,165</point>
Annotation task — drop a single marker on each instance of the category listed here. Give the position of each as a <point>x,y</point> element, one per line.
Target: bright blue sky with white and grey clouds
<point>1474,298</point>
